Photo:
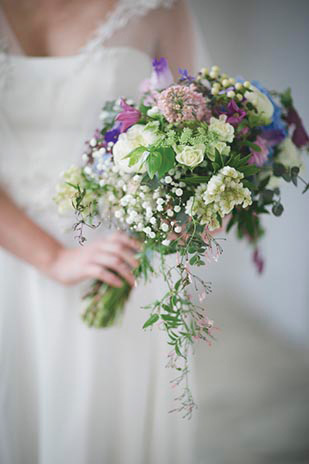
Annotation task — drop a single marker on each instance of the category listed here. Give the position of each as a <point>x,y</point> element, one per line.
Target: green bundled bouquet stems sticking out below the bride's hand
<point>105,304</point>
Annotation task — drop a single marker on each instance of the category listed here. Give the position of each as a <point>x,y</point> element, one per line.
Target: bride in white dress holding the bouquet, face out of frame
<point>69,394</point>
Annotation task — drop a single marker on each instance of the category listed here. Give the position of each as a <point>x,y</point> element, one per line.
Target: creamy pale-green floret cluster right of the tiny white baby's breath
<point>217,198</point>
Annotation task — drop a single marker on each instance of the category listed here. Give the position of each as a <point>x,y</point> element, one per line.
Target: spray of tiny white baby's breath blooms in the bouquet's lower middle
<point>139,207</point>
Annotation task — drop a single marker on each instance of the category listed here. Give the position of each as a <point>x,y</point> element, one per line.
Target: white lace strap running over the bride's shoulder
<point>125,11</point>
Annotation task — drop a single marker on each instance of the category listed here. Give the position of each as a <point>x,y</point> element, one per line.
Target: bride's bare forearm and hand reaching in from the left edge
<point>29,242</point>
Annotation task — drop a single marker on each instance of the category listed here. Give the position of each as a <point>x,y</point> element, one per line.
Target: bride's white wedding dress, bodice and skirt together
<point>70,394</point>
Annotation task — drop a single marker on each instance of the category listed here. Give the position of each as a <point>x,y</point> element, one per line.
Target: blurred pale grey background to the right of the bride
<point>253,381</point>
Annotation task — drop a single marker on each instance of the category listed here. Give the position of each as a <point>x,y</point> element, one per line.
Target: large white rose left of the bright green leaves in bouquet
<point>136,136</point>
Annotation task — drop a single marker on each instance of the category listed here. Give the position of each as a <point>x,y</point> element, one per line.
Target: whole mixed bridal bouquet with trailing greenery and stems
<point>171,169</point>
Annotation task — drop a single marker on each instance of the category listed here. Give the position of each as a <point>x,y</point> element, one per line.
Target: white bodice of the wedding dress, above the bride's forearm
<point>49,106</point>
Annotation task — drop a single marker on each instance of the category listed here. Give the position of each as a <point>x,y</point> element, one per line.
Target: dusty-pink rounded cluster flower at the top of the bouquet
<point>181,103</point>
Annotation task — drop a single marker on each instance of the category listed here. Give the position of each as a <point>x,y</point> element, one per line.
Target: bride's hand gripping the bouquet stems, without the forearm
<point>99,260</point>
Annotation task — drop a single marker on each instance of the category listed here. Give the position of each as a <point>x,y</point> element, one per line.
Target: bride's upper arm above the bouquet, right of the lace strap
<point>177,39</point>
